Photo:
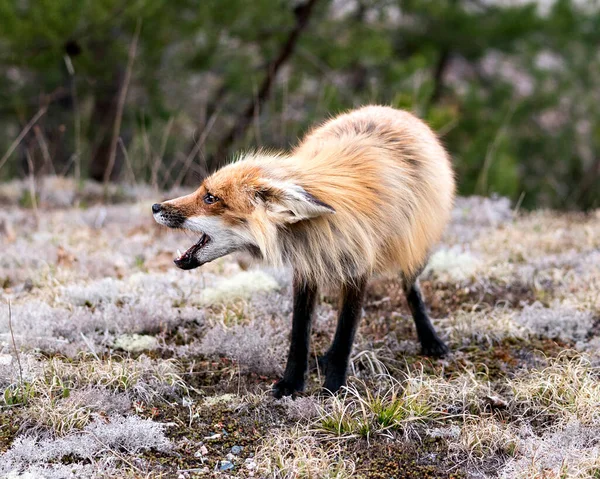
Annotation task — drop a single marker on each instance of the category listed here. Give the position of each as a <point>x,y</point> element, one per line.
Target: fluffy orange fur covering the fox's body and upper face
<point>382,170</point>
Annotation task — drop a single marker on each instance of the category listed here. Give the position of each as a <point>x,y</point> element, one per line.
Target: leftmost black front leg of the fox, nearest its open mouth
<point>305,297</point>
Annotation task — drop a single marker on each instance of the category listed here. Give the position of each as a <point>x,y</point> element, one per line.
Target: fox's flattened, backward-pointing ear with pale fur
<point>290,203</point>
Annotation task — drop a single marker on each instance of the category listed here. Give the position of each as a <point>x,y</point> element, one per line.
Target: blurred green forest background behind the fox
<point>164,91</point>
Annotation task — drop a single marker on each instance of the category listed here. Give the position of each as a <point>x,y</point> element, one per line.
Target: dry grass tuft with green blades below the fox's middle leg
<point>401,402</point>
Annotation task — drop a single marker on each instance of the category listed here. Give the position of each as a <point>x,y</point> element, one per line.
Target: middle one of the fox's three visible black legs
<point>335,361</point>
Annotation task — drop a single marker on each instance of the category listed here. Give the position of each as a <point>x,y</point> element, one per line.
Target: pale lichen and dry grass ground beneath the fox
<point>128,367</point>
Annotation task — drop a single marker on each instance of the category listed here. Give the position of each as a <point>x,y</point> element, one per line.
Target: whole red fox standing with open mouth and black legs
<point>367,192</point>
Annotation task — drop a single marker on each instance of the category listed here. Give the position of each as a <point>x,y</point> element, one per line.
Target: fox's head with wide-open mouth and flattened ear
<point>243,206</point>
